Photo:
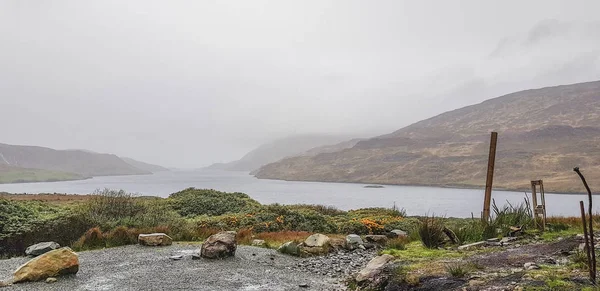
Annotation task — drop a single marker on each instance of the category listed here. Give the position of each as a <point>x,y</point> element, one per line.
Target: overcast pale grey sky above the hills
<point>189,83</point>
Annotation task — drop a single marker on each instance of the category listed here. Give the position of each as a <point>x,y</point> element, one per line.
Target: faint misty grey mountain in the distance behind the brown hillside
<point>279,149</point>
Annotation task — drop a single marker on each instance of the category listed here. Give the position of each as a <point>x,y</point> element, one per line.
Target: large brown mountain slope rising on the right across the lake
<point>543,134</point>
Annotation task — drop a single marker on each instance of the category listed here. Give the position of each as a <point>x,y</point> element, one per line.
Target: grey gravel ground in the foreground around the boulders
<point>147,268</point>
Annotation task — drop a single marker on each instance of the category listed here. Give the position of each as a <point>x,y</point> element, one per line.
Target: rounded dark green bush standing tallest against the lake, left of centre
<point>194,202</point>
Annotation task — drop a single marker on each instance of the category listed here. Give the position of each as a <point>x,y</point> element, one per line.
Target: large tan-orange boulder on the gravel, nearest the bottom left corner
<point>53,263</point>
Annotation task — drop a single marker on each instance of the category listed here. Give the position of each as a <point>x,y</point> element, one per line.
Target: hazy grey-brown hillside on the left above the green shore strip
<point>82,163</point>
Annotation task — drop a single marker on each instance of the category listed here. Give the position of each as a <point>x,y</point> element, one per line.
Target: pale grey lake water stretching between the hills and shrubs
<point>416,200</point>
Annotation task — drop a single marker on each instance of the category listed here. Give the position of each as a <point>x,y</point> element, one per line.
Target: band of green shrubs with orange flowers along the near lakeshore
<point>112,218</point>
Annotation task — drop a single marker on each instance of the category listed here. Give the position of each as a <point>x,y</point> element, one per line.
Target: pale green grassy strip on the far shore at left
<point>22,175</point>
